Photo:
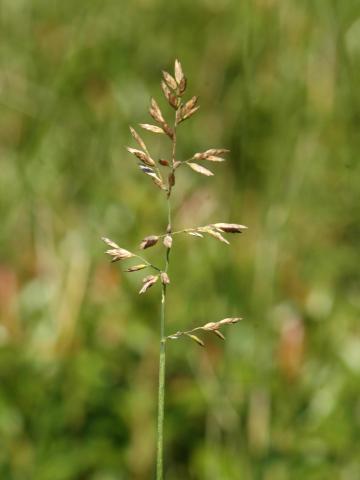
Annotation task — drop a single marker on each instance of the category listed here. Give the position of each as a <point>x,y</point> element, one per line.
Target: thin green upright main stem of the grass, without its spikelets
<point>162,355</point>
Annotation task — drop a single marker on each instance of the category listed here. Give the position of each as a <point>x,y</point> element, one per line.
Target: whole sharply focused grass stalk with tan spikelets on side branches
<point>163,175</point>
